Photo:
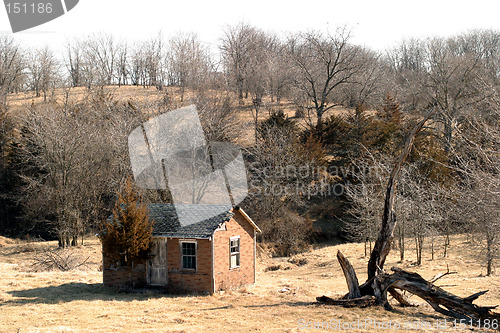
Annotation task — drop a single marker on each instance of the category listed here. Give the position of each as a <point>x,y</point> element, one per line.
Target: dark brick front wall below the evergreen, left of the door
<point>115,276</point>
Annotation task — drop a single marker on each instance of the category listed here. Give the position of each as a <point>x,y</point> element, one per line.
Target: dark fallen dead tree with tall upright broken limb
<point>379,283</point>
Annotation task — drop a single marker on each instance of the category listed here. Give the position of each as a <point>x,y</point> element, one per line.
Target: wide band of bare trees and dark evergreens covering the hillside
<point>62,160</point>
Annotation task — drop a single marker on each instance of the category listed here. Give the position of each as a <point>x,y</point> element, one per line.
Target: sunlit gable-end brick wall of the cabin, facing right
<point>226,278</point>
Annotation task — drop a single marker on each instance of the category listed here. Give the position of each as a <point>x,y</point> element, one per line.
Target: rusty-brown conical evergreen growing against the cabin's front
<point>127,236</point>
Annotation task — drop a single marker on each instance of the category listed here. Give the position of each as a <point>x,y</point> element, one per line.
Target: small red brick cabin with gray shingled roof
<point>211,255</point>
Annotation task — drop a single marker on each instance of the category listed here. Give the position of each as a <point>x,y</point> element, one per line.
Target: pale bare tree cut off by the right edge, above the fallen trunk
<point>479,167</point>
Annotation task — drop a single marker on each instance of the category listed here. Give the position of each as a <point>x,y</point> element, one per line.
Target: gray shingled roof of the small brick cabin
<point>167,224</point>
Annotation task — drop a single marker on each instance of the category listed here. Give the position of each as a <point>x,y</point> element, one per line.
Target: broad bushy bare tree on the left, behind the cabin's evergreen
<point>76,162</point>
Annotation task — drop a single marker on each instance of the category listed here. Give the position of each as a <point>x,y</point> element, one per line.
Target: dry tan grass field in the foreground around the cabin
<point>75,301</point>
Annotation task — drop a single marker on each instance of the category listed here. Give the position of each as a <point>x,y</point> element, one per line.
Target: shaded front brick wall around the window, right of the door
<point>201,279</point>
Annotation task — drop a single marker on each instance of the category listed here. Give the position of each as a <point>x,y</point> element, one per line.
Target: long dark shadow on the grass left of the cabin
<point>77,291</point>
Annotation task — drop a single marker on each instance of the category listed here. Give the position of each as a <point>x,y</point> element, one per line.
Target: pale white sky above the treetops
<point>376,24</point>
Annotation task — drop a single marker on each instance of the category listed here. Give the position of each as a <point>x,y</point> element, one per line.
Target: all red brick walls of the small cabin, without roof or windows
<point>201,279</point>
